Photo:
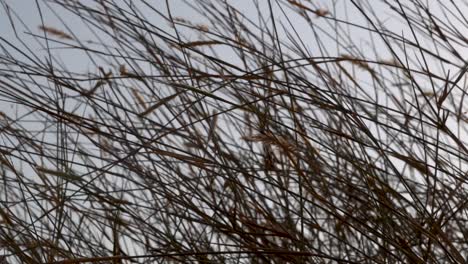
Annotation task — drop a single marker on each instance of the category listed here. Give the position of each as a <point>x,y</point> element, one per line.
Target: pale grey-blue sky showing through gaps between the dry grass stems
<point>21,37</point>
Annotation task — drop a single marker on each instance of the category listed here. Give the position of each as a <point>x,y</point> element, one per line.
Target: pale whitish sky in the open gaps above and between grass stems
<point>27,11</point>
